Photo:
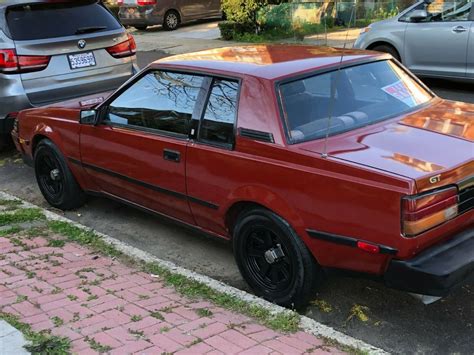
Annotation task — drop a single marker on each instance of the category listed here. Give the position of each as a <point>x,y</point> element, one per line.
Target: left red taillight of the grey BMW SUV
<point>11,63</point>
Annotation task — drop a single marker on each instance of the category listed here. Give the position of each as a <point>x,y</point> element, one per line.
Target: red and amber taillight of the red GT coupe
<point>426,211</point>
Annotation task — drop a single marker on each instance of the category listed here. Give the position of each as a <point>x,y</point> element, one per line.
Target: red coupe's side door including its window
<point>137,152</point>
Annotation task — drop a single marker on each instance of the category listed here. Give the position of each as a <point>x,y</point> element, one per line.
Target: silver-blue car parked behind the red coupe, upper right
<point>432,39</point>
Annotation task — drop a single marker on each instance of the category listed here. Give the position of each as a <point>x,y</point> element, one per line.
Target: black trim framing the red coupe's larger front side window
<point>103,108</point>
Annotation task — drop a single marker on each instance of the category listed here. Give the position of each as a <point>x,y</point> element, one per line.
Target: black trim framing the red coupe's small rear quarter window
<point>197,138</point>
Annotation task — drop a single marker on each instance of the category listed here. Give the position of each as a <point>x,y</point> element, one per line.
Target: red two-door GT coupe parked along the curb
<point>307,158</point>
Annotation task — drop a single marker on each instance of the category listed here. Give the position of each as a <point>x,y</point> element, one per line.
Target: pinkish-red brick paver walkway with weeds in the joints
<point>103,305</point>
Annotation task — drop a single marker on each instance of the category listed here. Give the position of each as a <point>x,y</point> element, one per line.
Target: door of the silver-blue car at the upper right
<point>438,45</point>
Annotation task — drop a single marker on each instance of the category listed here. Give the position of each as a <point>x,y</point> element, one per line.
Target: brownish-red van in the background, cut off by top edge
<point>169,13</point>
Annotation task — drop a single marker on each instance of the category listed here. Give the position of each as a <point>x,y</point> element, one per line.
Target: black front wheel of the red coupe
<point>55,179</point>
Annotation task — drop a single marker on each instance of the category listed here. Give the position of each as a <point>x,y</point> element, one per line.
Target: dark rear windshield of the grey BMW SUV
<point>50,20</point>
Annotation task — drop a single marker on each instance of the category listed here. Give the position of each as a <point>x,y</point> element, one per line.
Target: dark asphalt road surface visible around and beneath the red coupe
<point>361,308</point>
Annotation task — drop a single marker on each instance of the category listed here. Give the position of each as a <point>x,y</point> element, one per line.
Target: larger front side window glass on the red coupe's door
<point>162,101</point>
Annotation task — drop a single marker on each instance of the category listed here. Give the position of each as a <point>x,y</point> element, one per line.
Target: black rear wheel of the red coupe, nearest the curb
<point>288,280</point>
